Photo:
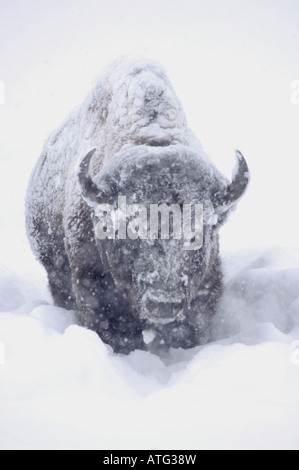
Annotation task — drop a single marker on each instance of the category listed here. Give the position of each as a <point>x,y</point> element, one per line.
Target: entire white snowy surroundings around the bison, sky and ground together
<point>60,386</point>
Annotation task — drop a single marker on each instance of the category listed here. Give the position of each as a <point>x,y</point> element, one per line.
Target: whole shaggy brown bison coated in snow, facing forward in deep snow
<point>145,151</point>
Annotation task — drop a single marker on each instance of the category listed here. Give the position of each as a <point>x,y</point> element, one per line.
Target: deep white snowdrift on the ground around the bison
<point>61,387</point>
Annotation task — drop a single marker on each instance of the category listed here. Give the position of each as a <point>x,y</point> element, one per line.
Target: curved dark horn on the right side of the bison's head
<point>228,197</point>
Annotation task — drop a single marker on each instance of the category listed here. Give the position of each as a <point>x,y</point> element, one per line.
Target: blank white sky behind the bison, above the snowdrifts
<point>232,63</point>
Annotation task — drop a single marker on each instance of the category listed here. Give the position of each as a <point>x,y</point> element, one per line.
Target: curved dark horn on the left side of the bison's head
<point>88,188</point>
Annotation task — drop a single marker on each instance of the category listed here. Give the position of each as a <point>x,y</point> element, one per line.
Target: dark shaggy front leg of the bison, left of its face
<point>100,305</point>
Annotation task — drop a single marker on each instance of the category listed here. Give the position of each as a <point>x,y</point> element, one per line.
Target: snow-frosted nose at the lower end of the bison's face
<point>163,312</point>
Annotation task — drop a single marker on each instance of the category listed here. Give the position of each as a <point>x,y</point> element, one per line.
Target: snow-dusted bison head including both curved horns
<point>160,276</point>
